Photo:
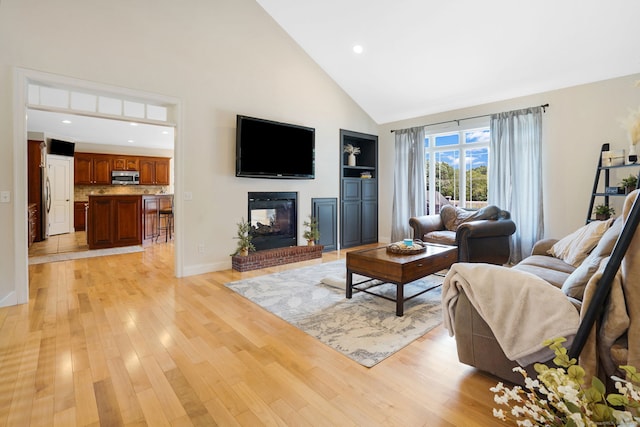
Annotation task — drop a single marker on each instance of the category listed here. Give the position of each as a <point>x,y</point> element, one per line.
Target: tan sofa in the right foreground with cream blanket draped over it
<point>604,287</point>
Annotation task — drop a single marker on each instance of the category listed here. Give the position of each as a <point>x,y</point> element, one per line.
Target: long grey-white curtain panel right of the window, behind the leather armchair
<point>515,174</point>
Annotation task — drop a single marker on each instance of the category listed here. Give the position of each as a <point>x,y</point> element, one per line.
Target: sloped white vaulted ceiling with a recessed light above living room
<point>425,56</point>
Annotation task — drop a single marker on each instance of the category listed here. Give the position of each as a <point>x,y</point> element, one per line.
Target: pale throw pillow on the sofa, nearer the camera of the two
<point>577,281</point>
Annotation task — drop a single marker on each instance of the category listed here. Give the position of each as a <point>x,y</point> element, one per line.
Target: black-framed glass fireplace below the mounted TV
<point>273,219</point>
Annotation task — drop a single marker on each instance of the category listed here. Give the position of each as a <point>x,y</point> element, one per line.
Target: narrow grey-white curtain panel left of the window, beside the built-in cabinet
<point>409,181</point>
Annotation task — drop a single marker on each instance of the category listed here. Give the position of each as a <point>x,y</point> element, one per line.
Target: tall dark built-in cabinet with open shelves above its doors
<point>359,190</point>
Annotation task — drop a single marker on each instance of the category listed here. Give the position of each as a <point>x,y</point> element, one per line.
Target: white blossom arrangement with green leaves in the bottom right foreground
<point>559,396</point>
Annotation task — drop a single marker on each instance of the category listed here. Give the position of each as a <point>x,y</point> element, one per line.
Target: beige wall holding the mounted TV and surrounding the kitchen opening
<point>219,58</point>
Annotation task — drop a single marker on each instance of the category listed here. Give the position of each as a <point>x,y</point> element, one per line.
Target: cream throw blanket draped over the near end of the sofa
<point>501,296</point>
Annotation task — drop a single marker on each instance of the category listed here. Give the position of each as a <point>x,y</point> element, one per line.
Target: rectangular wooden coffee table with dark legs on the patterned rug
<point>378,264</point>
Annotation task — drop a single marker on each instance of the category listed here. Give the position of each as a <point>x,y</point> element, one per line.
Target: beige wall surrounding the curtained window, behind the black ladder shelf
<point>578,121</point>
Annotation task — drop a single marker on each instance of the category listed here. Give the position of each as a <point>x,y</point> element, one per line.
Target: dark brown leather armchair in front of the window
<point>481,236</point>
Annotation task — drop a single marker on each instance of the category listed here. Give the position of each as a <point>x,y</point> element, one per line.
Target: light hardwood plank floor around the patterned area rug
<point>118,340</point>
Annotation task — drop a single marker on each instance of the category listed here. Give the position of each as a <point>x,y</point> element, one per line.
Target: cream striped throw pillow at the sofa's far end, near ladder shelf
<point>575,247</point>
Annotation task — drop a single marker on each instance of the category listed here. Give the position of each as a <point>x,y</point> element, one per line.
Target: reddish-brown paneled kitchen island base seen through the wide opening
<point>114,221</point>
